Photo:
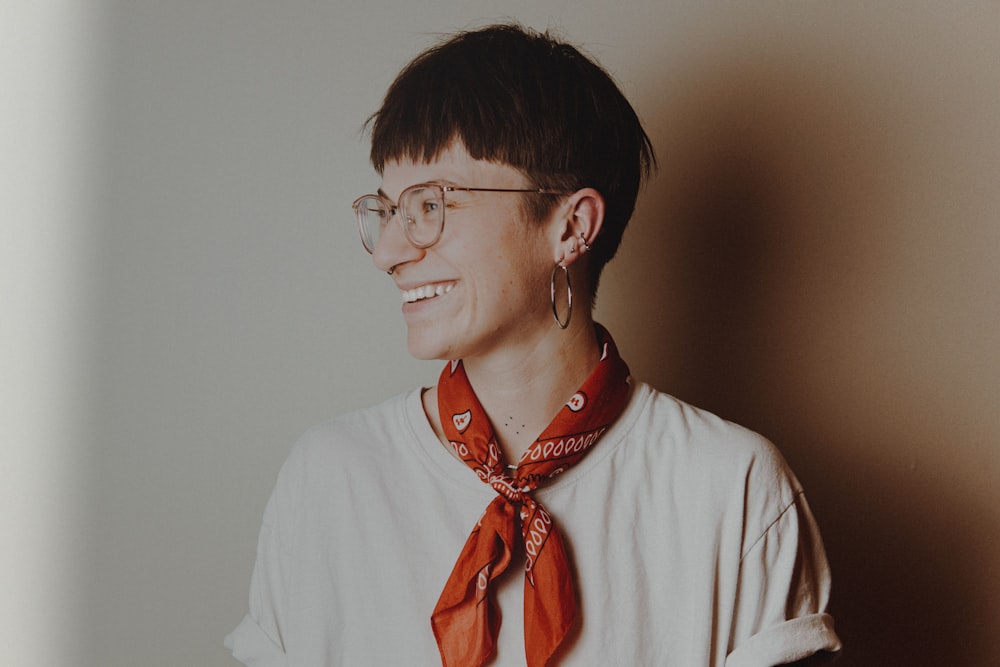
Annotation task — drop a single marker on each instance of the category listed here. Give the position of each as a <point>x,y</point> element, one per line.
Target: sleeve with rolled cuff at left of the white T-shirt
<point>257,640</point>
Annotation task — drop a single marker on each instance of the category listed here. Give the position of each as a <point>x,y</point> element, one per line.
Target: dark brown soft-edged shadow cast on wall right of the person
<point>768,295</point>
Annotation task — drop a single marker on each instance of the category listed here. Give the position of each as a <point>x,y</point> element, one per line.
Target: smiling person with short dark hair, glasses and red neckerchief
<point>537,505</point>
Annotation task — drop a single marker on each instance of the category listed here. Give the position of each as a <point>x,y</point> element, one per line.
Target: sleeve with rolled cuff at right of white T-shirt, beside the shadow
<point>784,589</point>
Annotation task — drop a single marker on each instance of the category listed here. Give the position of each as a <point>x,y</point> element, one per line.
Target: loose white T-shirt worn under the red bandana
<point>691,541</point>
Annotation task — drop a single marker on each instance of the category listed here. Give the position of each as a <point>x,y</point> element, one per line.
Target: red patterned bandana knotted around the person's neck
<point>466,620</point>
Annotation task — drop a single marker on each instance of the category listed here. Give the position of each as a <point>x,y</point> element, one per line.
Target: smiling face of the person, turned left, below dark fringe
<point>483,288</point>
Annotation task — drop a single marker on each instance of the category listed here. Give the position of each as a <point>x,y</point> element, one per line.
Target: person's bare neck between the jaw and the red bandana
<point>522,390</point>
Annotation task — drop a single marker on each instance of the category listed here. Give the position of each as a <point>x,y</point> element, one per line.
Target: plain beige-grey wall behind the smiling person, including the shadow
<point>184,292</point>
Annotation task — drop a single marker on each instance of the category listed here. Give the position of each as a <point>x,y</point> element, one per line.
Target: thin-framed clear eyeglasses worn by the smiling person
<point>421,212</point>
